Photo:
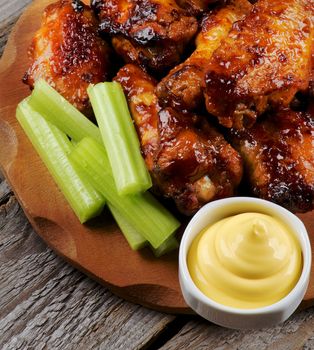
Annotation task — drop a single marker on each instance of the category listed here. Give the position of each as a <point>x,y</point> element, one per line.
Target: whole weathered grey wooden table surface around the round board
<point>47,304</point>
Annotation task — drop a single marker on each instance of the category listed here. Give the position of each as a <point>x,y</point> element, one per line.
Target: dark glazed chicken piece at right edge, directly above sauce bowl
<point>279,158</point>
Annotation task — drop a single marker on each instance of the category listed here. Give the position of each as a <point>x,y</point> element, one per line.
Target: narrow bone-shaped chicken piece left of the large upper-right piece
<point>181,88</point>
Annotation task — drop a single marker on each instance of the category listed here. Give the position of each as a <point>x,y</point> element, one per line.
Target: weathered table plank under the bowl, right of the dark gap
<point>296,333</point>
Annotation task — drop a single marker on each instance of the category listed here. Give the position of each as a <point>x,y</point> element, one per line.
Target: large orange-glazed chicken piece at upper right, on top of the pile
<point>263,63</point>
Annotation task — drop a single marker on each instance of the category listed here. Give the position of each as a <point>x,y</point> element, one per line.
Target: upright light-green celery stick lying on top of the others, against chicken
<point>120,138</point>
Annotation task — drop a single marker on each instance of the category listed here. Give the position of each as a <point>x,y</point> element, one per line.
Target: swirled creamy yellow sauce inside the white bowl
<point>246,261</point>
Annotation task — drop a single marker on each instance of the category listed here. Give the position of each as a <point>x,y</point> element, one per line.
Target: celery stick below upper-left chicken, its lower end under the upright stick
<point>57,110</point>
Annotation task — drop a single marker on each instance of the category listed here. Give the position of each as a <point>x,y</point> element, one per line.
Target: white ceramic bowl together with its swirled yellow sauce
<point>244,263</point>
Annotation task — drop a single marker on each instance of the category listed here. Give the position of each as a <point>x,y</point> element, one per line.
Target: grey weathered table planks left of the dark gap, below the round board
<point>44,302</point>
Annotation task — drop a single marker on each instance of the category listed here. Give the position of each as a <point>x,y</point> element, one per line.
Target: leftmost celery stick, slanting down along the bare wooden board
<point>53,146</point>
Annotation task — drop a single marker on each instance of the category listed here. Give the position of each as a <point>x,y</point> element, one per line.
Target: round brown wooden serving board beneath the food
<point>98,248</point>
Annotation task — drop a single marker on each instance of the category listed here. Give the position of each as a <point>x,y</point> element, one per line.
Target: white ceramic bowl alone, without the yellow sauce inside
<point>233,317</point>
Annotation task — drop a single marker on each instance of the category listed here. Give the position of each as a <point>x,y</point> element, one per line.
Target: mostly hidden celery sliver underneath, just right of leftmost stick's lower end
<point>135,239</point>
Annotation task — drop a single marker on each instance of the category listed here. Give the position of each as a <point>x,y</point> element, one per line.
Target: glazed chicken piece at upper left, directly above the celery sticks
<point>68,53</point>
